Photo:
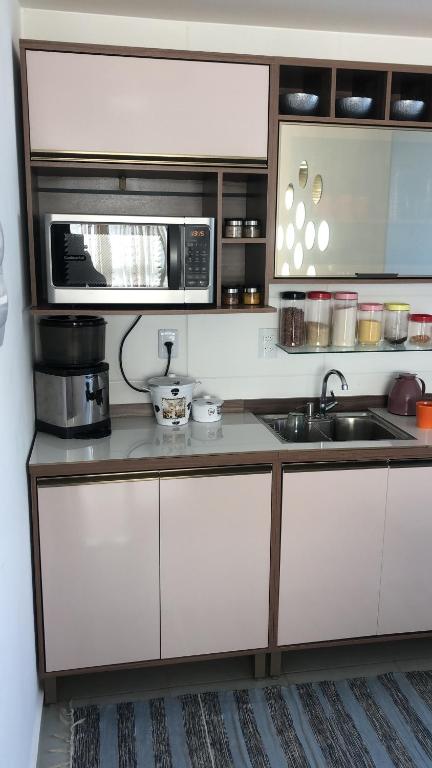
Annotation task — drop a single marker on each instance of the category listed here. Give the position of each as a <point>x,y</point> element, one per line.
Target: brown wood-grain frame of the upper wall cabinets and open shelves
<point>256,260</point>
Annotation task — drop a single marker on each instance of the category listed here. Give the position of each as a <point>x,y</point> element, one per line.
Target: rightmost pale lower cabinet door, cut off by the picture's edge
<point>406,584</point>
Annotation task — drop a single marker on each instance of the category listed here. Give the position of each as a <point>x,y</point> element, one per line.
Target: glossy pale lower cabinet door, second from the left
<point>215,560</point>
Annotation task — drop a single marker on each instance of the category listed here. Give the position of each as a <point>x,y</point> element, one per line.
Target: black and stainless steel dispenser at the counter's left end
<point>71,379</point>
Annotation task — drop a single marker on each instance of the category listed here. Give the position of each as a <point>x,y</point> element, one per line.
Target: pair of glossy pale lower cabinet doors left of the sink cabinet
<point>154,567</point>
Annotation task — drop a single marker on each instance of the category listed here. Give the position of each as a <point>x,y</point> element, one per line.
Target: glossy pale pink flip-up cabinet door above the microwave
<point>86,103</point>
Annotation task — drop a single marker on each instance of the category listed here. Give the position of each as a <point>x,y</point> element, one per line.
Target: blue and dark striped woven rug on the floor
<point>383,721</point>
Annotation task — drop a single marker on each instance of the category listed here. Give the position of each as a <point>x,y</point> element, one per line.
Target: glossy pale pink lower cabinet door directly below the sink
<point>331,548</point>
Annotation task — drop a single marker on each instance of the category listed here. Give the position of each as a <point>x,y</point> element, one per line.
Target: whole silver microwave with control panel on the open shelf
<point>128,259</point>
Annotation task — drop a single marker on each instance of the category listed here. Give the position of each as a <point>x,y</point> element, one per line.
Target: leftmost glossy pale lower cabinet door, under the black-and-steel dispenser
<point>99,548</point>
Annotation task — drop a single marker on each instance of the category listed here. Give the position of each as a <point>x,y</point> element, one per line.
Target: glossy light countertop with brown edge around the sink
<point>141,438</point>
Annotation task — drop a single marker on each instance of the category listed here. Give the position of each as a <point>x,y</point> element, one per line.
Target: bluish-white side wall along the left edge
<point>20,700</point>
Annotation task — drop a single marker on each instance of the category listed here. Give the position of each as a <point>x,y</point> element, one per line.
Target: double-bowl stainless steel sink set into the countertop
<point>336,428</point>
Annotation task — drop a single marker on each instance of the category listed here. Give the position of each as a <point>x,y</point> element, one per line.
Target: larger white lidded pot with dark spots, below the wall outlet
<point>171,398</point>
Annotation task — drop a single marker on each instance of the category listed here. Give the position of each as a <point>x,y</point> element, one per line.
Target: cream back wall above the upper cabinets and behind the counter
<point>223,351</point>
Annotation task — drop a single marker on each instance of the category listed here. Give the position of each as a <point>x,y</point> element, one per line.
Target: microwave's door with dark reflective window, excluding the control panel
<point>116,262</point>
